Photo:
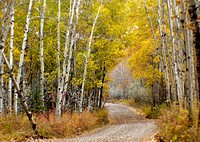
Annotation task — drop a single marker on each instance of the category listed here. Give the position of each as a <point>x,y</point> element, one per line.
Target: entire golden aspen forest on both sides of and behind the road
<point>60,55</point>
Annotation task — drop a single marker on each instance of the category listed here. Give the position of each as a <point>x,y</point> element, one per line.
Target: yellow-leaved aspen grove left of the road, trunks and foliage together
<point>55,55</point>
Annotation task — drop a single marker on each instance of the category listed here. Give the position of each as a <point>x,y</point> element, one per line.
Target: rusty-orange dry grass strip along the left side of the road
<point>18,127</point>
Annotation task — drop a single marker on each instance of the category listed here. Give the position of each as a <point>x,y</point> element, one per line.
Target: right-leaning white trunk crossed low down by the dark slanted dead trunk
<point>24,44</point>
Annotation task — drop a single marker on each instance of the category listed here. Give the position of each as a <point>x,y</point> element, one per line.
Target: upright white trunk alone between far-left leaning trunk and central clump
<point>42,80</point>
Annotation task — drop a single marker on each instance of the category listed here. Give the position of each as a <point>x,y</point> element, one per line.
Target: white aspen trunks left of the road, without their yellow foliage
<point>68,96</point>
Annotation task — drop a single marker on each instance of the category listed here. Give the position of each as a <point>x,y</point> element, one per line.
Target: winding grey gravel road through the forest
<point>126,126</point>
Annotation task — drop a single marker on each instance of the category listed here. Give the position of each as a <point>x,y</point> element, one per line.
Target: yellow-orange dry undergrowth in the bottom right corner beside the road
<point>174,126</point>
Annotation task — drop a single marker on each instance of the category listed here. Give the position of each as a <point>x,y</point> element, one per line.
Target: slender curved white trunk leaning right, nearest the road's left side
<point>87,59</point>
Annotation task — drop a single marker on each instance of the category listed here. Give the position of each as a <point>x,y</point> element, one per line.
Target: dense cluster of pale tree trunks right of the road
<point>178,44</point>
